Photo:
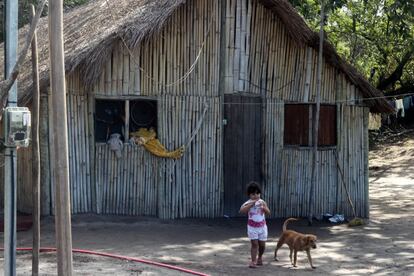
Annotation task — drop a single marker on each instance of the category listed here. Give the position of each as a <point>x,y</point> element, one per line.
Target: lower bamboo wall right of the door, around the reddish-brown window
<point>288,170</point>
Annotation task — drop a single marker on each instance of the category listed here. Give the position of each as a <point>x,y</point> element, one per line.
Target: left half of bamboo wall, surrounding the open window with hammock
<point>138,183</point>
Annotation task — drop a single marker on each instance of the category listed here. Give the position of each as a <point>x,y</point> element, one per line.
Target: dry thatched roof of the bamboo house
<point>91,33</point>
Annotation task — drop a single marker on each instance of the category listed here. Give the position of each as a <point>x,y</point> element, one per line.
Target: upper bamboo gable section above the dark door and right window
<point>260,58</point>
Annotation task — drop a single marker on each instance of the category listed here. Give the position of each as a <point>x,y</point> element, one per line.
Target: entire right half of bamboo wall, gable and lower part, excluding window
<point>261,59</point>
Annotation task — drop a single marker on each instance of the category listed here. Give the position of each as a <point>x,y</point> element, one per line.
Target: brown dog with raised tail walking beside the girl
<point>296,242</point>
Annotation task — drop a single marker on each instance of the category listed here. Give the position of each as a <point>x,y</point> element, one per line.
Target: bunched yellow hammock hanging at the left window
<point>147,138</point>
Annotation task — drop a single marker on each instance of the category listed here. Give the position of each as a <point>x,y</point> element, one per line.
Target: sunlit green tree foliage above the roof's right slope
<point>376,36</point>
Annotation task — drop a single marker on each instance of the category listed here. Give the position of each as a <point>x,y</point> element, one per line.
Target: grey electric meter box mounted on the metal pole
<point>17,124</point>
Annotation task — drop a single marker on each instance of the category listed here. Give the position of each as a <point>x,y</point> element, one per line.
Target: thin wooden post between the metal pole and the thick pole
<point>35,155</point>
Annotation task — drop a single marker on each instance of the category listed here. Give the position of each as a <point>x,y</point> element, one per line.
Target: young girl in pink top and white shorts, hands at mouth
<point>256,209</point>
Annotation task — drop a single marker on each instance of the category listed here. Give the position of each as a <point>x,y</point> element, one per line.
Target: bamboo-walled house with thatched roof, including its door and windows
<point>239,76</point>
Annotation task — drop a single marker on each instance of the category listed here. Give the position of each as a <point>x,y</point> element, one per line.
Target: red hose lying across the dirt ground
<point>51,249</point>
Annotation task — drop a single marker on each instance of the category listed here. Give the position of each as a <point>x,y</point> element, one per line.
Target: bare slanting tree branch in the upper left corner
<point>6,85</point>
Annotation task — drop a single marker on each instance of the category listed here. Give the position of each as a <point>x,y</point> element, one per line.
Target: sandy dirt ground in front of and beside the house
<point>382,247</point>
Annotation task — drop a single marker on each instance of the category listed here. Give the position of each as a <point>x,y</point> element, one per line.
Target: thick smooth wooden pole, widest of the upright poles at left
<point>60,140</point>
